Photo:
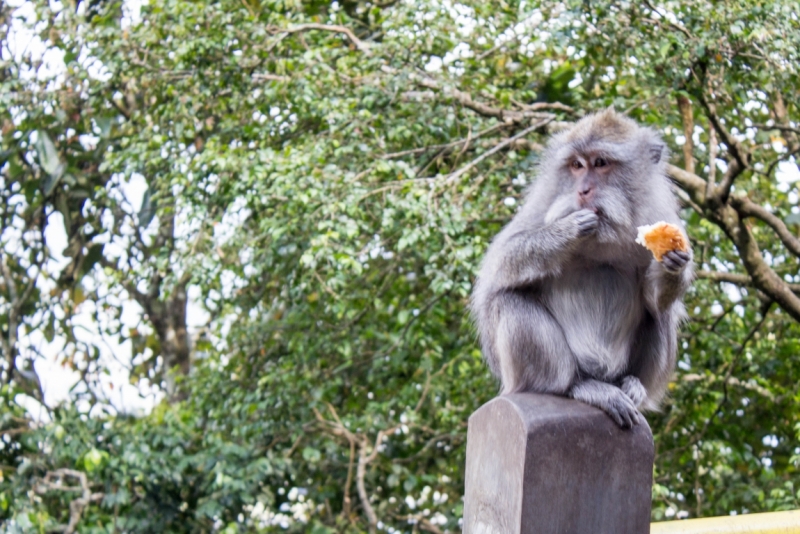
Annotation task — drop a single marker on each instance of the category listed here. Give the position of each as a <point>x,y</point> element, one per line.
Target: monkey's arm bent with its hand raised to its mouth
<point>521,255</point>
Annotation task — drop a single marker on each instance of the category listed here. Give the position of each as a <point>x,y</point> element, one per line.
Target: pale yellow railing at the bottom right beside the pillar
<point>771,523</point>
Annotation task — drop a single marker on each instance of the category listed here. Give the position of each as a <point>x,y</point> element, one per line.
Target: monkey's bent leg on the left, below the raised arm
<point>531,350</point>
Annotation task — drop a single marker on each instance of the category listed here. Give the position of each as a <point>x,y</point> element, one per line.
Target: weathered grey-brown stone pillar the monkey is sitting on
<point>542,464</point>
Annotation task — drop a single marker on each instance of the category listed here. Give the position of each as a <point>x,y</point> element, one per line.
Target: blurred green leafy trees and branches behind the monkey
<point>265,217</point>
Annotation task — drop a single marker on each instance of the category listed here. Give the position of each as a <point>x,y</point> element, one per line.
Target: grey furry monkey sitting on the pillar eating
<point>565,301</point>
